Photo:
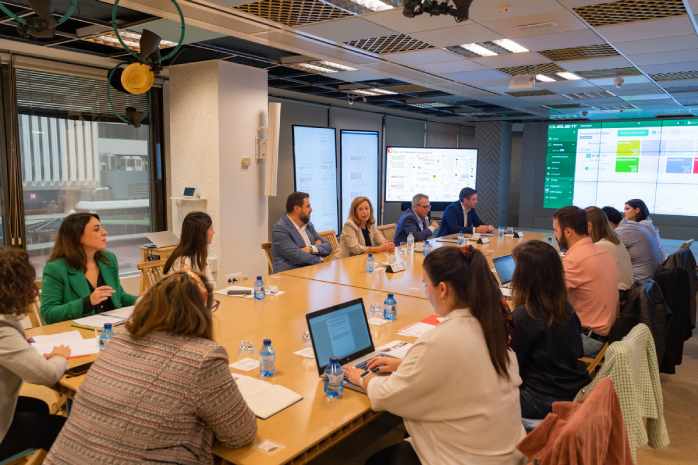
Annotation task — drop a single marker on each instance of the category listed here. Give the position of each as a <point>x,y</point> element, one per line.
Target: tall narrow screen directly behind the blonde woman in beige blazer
<point>359,151</point>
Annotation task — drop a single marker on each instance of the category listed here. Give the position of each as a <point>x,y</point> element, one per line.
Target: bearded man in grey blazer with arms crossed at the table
<point>294,241</point>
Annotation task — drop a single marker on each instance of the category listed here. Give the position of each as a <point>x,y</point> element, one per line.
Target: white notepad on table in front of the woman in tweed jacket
<point>263,398</point>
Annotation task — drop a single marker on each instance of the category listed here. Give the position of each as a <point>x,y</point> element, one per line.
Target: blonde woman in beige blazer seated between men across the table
<point>360,232</point>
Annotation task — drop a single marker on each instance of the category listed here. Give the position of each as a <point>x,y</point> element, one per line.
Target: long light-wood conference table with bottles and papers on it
<point>306,429</point>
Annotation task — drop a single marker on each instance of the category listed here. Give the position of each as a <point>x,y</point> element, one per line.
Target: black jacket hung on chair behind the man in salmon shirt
<point>646,305</point>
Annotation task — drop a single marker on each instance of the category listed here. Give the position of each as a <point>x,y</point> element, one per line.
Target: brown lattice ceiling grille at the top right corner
<point>629,11</point>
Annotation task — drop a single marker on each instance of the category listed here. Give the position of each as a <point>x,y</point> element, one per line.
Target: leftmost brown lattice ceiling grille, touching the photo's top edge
<point>295,12</point>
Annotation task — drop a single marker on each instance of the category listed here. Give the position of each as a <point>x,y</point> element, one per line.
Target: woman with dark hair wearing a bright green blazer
<point>81,278</point>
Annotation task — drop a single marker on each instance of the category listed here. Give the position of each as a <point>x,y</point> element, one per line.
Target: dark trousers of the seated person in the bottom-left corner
<point>32,427</point>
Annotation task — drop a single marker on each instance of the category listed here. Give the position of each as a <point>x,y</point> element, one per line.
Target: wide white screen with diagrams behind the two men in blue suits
<point>438,173</point>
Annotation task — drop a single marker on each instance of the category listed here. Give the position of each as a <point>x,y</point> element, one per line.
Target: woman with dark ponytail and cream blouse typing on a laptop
<point>457,387</point>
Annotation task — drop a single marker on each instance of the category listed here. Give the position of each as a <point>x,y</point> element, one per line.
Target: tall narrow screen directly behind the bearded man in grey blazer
<point>315,162</point>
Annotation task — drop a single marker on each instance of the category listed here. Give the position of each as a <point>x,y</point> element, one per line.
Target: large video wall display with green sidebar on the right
<point>609,163</point>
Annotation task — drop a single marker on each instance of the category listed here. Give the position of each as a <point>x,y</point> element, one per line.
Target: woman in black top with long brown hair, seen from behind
<point>547,337</point>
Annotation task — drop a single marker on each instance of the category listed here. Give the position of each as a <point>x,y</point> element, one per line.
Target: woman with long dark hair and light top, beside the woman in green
<point>192,251</point>
